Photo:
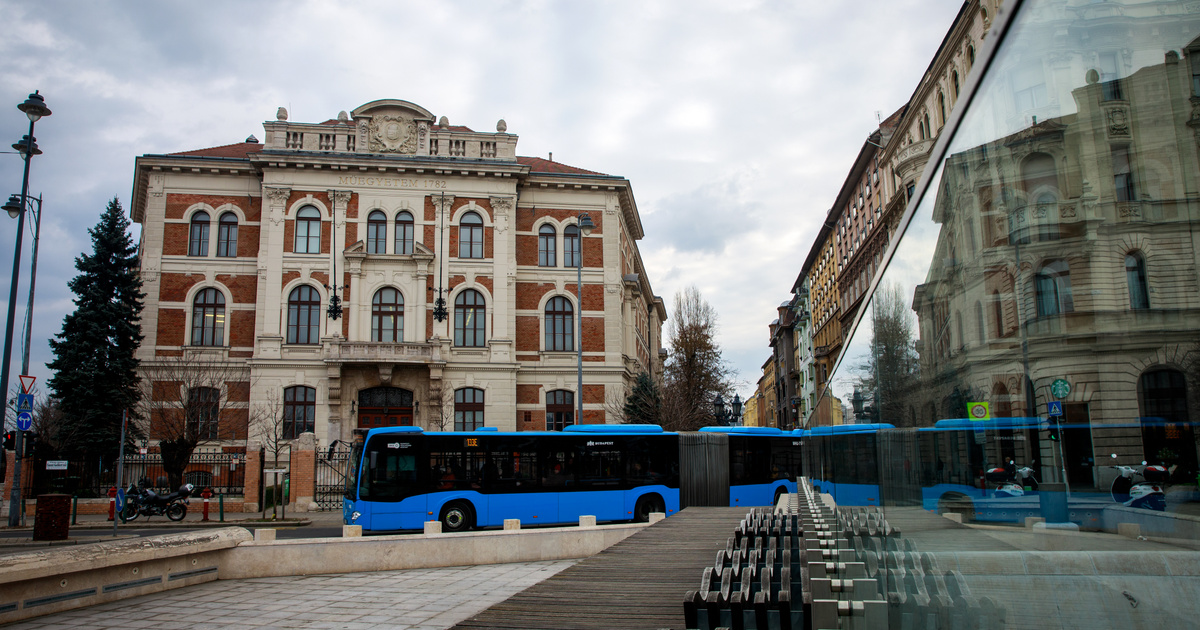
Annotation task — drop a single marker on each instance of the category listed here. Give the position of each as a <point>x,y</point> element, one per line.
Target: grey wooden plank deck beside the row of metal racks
<point>638,584</point>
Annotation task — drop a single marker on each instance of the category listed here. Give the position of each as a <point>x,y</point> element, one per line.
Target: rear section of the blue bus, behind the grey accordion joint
<point>764,464</point>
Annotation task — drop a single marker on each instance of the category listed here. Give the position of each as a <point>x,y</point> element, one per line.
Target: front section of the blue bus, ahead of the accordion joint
<point>403,477</point>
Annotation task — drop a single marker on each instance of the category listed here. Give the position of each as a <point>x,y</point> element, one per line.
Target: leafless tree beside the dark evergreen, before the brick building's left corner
<point>189,400</point>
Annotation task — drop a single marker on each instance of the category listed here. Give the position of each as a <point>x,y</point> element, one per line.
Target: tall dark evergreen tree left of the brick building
<point>95,364</point>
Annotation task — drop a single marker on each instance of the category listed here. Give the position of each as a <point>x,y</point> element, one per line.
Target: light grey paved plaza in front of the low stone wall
<point>421,599</point>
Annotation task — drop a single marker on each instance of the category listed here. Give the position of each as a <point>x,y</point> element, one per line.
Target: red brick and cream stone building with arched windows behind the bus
<point>245,247</point>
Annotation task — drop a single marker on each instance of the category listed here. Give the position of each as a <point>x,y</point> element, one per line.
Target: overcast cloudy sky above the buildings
<point>736,122</point>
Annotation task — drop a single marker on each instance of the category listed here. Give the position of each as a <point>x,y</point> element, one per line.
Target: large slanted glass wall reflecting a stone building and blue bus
<point>1035,337</point>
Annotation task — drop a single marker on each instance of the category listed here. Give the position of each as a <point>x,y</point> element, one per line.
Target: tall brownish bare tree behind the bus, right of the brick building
<point>695,371</point>
